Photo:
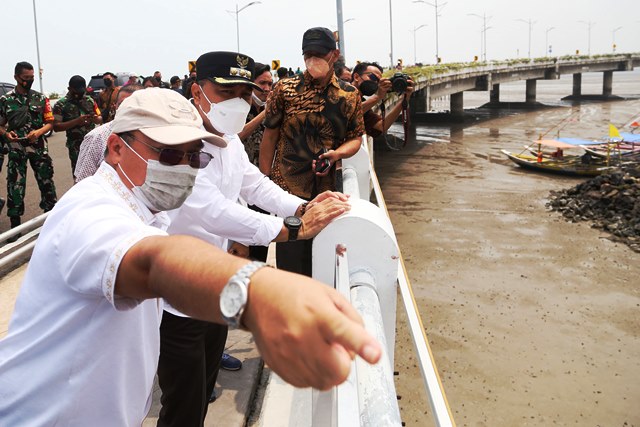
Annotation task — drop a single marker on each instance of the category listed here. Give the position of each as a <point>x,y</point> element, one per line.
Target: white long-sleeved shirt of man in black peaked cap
<point>212,212</point>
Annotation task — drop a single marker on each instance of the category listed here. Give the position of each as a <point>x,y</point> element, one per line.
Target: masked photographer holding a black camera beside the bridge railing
<point>367,78</point>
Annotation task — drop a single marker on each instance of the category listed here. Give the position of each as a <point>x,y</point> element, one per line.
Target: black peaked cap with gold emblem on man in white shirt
<point>226,68</point>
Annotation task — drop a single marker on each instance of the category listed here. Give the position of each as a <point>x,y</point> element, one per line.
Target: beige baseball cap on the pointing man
<point>164,116</point>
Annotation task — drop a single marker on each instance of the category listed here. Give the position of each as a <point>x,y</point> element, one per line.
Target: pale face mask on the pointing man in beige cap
<point>165,187</point>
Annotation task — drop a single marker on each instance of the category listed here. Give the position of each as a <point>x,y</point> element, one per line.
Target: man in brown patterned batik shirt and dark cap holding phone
<point>309,117</point>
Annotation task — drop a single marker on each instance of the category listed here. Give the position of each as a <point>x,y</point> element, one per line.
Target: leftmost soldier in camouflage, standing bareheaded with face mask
<point>25,117</point>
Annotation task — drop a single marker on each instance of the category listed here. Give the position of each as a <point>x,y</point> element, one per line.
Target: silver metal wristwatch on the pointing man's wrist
<point>235,294</point>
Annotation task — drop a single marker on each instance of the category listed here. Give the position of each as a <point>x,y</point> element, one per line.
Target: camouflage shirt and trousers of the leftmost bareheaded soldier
<point>22,114</point>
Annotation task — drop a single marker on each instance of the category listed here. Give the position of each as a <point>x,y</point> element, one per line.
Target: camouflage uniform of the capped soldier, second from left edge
<point>67,109</point>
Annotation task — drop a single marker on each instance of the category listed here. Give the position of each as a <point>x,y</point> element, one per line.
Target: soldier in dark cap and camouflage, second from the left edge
<point>77,114</point>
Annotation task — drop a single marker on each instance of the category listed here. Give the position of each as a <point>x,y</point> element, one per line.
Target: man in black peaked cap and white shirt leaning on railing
<point>191,349</point>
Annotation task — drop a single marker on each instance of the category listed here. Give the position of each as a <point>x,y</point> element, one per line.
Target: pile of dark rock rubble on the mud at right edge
<point>610,202</point>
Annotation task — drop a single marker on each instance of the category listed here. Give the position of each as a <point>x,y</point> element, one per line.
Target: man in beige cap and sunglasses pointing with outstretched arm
<point>86,320</point>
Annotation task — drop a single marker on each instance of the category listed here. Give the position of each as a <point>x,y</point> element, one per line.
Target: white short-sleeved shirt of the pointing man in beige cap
<point>76,354</point>
